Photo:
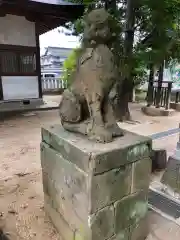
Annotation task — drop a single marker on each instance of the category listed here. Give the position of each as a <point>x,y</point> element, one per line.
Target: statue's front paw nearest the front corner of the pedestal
<point>100,134</point>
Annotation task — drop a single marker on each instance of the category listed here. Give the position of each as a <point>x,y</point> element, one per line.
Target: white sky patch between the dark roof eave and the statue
<point>58,38</point>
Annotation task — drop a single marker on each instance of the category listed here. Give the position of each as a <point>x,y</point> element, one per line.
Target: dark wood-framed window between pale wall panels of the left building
<point>17,62</point>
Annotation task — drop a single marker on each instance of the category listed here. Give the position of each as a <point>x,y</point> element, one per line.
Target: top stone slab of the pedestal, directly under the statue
<point>95,156</point>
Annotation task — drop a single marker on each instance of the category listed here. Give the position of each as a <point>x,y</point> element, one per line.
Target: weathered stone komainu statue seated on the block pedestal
<point>86,107</point>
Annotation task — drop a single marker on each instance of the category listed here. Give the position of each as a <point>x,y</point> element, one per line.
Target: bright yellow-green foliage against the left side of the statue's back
<point>70,65</point>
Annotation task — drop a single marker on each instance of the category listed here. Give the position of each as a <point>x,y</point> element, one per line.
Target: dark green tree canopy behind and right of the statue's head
<point>147,34</point>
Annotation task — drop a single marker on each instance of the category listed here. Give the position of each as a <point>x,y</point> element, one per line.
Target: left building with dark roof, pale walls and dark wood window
<point>21,24</point>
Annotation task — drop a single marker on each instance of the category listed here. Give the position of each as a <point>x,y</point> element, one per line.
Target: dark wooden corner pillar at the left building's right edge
<point>38,59</point>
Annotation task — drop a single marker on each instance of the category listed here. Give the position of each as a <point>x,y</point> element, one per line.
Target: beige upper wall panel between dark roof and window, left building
<point>16,30</point>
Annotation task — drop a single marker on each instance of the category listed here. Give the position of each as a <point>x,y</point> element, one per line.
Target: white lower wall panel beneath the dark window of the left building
<point>20,87</point>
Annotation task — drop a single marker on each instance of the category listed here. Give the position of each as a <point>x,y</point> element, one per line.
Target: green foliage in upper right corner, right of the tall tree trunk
<point>160,29</point>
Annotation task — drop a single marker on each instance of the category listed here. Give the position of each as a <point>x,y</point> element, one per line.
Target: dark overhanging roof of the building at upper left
<point>48,13</point>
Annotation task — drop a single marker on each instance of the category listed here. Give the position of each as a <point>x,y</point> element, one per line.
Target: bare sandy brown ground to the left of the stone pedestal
<point>21,195</point>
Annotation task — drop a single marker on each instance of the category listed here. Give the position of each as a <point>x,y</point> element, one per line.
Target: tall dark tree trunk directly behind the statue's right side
<point>127,85</point>
